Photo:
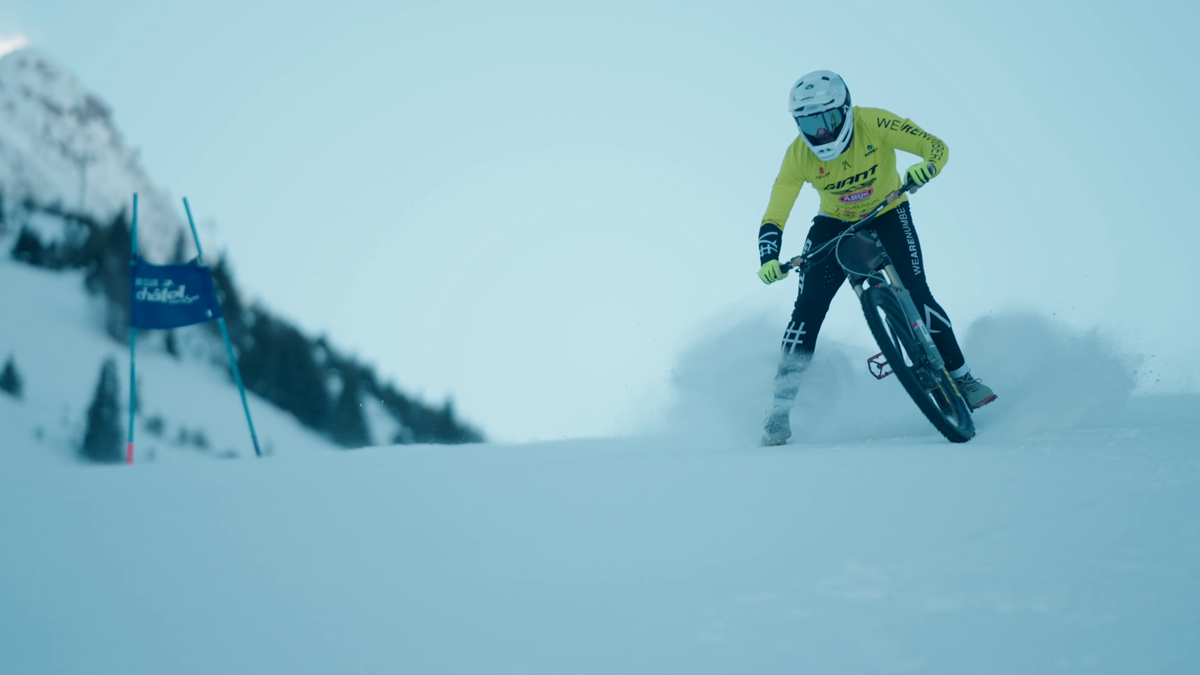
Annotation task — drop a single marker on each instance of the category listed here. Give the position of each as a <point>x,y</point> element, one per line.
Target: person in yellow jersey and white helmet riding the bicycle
<point>849,156</point>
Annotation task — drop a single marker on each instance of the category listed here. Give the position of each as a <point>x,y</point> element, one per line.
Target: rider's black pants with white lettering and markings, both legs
<point>826,277</point>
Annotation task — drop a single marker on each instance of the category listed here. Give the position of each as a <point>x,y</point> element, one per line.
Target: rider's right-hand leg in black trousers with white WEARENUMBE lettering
<point>899,237</point>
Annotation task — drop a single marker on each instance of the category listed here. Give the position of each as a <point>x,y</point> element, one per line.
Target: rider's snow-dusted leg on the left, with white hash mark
<point>819,285</point>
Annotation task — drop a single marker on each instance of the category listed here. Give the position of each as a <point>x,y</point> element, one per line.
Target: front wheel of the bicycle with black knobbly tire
<point>934,391</point>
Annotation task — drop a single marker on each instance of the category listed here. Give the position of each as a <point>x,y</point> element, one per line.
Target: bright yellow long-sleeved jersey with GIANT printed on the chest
<point>860,180</point>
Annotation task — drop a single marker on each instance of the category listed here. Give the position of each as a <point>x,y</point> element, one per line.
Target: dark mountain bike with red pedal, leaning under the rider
<point>896,324</point>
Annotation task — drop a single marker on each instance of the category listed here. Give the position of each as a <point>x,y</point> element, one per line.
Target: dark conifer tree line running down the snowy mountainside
<point>307,377</point>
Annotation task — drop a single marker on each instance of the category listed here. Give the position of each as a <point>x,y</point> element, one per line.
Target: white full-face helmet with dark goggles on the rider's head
<point>820,104</point>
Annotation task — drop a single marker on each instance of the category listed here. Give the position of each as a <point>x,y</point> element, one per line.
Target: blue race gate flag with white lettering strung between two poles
<point>172,296</point>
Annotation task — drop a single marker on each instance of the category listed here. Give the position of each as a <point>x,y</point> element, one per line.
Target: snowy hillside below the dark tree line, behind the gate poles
<point>53,331</point>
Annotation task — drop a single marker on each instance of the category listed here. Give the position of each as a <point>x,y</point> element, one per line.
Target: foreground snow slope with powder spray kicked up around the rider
<point>1064,539</point>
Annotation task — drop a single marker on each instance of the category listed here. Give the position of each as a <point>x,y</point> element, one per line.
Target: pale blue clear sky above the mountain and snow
<point>536,206</point>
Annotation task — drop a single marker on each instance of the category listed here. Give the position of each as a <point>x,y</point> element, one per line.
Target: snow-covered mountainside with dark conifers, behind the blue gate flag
<point>67,186</point>
